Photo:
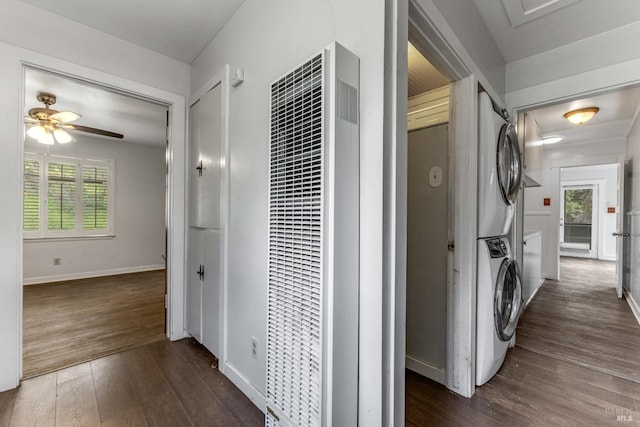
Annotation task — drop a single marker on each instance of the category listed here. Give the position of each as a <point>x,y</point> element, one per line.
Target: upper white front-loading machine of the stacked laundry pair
<point>499,169</point>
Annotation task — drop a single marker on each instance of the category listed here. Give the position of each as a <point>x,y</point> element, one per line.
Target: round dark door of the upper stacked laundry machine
<point>508,164</point>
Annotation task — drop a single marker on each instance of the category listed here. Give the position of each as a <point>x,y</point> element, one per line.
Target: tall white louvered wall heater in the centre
<point>313,272</point>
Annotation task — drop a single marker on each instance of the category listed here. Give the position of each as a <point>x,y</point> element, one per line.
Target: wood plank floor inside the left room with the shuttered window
<point>67,323</point>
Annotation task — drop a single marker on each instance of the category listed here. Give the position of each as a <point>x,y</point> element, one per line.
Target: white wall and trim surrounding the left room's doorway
<point>82,51</point>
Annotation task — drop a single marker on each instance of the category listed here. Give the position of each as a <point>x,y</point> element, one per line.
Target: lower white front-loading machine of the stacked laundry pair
<point>499,305</point>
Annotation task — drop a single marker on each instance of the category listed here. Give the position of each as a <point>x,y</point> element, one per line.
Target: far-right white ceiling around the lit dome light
<point>618,110</point>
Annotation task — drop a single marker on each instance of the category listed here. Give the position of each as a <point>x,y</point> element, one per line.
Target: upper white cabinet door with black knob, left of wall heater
<point>204,160</point>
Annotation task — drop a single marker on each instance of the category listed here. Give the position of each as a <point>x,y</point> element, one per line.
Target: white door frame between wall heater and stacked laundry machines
<point>431,35</point>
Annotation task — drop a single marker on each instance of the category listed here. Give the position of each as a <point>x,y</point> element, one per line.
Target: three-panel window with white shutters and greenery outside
<point>66,197</point>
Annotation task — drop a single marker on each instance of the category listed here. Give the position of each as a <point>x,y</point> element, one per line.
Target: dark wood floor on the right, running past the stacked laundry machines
<point>575,363</point>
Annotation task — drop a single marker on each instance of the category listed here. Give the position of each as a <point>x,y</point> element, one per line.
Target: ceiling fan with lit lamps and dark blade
<point>49,126</point>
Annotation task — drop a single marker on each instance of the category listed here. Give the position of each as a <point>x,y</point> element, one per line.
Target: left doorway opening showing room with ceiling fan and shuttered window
<point>95,222</point>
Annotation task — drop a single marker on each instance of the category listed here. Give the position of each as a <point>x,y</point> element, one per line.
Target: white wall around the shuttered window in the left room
<point>139,220</point>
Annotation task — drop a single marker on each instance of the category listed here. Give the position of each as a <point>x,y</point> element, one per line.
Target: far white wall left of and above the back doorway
<point>545,218</point>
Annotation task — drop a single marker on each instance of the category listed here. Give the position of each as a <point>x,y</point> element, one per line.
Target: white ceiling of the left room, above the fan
<point>141,122</point>
